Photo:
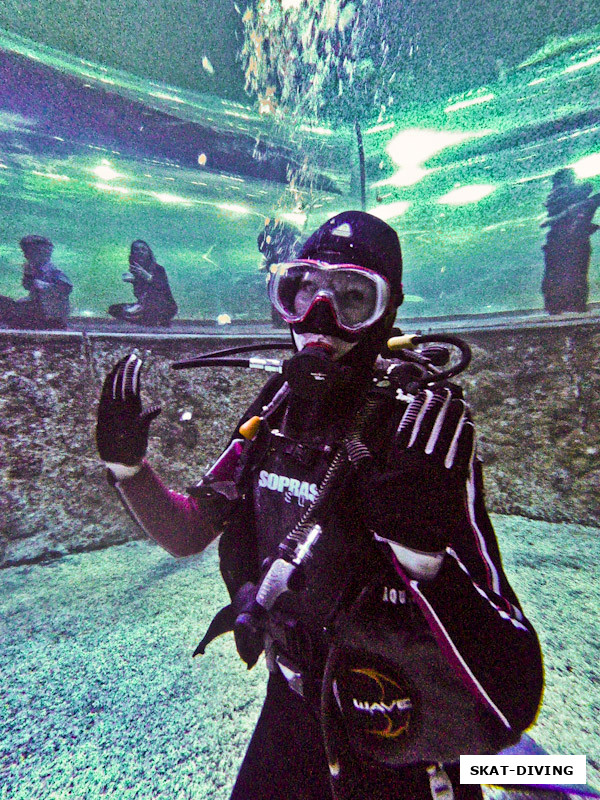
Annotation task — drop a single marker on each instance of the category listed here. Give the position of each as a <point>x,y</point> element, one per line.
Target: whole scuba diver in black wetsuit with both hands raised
<point>356,546</point>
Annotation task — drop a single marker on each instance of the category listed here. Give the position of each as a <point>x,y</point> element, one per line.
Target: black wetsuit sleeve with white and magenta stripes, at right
<point>476,617</point>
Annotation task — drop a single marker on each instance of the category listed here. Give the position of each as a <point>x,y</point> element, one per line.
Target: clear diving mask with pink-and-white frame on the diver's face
<point>357,296</point>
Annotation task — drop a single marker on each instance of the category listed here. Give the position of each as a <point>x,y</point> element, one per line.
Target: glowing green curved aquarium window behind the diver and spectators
<point>94,158</point>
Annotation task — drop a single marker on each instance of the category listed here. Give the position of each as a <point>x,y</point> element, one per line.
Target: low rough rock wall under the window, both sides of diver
<point>534,395</point>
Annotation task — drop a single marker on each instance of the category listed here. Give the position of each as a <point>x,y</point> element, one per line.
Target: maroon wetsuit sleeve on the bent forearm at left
<point>182,524</point>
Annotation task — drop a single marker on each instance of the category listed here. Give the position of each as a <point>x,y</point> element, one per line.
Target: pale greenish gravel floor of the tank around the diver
<point>100,697</point>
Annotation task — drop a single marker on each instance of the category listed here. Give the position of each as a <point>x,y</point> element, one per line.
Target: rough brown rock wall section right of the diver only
<point>535,396</point>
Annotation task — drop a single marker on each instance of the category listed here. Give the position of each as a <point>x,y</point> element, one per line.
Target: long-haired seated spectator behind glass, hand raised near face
<point>155,304</point>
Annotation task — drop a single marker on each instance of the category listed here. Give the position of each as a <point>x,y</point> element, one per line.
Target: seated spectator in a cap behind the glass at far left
<point>47,304</point>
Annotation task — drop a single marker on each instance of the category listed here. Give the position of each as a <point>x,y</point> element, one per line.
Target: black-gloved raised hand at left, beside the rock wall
<point>122,426</point>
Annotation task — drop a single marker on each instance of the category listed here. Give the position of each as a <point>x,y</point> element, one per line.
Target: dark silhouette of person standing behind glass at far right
<point>571,207</point>
